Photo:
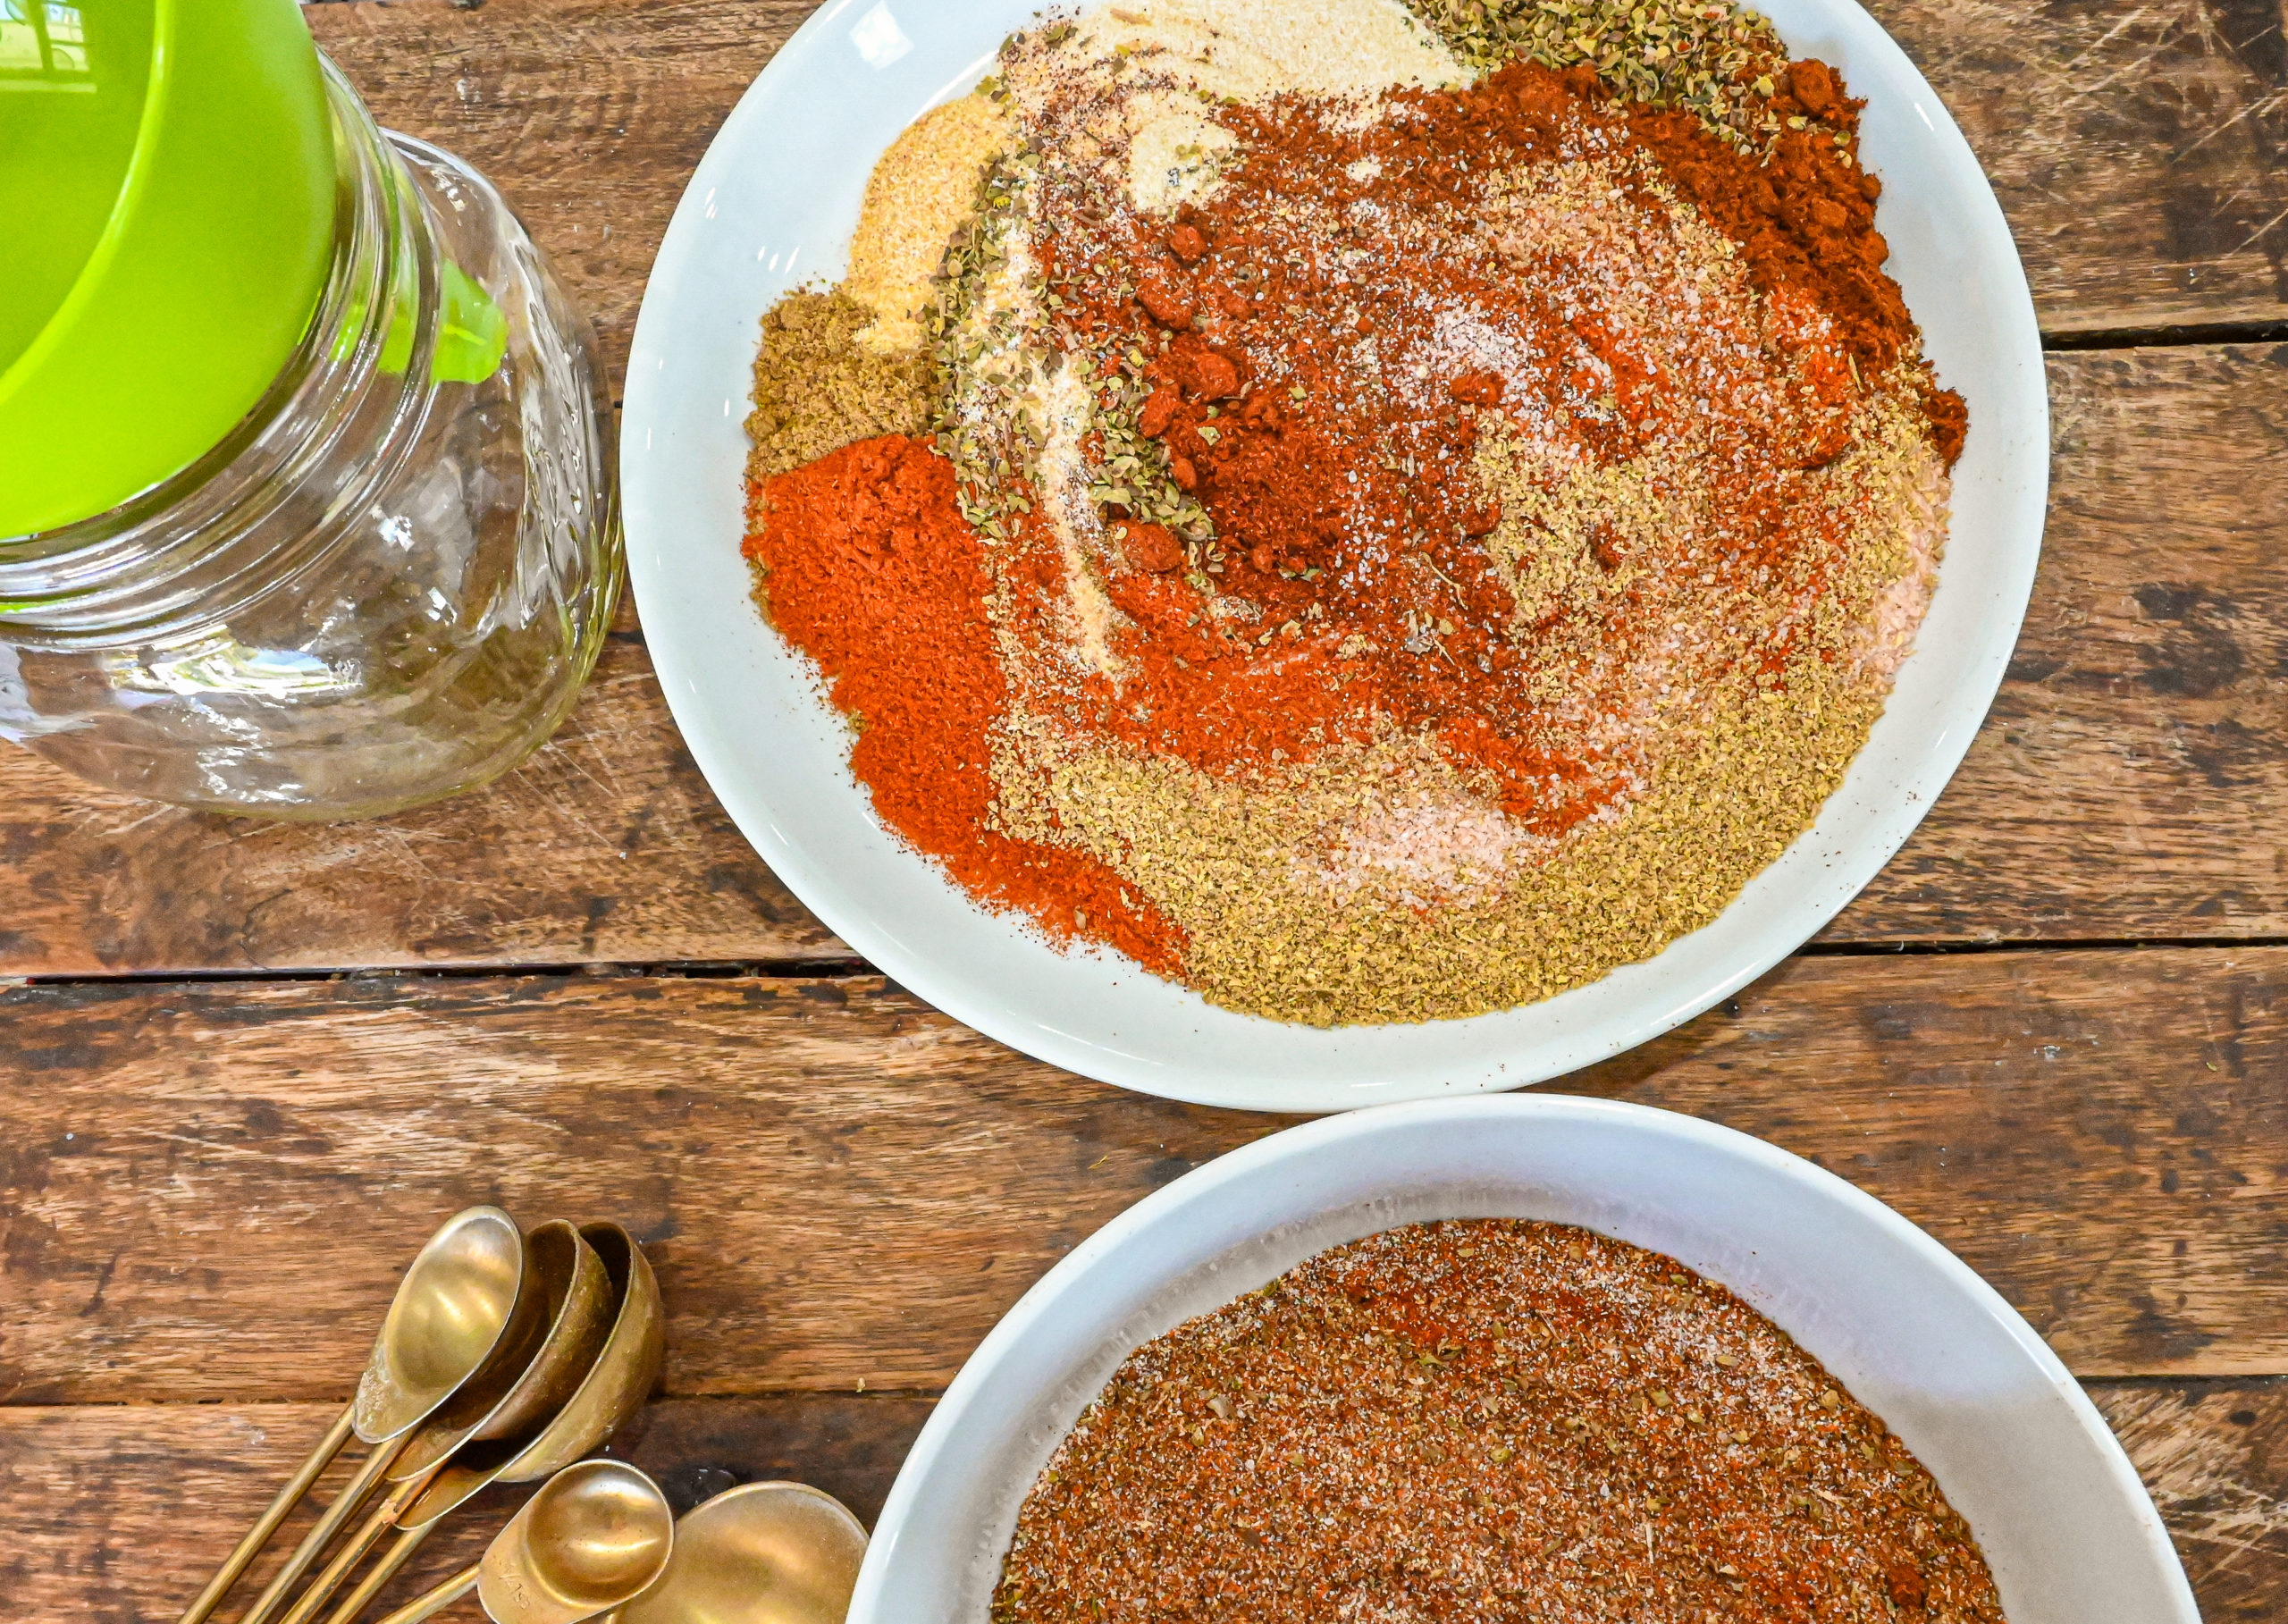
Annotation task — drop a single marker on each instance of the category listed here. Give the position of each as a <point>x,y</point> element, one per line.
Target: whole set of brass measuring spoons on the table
<point>507,1358</point>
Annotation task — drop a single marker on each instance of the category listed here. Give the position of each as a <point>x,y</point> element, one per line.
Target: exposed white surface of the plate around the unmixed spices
<point>774,205</point>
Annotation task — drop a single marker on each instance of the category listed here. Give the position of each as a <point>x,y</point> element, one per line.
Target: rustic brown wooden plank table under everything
<point>246,1067</point>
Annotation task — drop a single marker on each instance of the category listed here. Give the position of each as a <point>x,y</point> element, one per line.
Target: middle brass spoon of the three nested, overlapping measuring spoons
<point>525,1387</point>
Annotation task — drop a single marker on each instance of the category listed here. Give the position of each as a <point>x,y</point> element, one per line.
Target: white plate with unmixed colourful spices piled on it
<point>1314,552</point>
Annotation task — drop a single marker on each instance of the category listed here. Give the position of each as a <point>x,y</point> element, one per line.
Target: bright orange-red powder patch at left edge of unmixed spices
<point>868,568</point>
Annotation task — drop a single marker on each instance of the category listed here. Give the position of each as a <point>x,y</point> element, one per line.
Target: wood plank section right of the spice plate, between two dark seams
<point>2131,779</point>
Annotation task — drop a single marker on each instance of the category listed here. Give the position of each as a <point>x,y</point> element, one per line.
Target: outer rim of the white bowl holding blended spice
<point>1257,1163</point>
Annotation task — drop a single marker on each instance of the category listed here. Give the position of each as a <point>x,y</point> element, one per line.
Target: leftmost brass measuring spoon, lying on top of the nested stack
<point>450,1314</point>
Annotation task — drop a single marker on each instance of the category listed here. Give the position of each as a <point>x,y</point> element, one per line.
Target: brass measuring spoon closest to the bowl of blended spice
<point>763,1554</point>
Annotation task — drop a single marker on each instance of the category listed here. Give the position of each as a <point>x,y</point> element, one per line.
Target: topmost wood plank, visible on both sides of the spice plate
<point>2136,148</point>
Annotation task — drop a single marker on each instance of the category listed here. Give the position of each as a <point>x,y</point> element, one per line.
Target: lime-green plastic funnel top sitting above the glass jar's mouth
<point>168,180</point>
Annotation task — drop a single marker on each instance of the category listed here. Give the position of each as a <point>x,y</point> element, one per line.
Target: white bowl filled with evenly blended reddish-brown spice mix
<point>1525,1358</point>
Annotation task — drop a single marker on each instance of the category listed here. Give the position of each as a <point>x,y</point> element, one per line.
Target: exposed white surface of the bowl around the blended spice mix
<point>1916,1337</point>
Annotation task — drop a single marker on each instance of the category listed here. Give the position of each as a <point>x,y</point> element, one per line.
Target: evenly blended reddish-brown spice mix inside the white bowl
<point>1493,1422</point>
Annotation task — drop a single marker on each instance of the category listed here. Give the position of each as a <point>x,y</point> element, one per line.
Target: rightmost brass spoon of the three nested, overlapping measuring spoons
<point>612,1390</point>
